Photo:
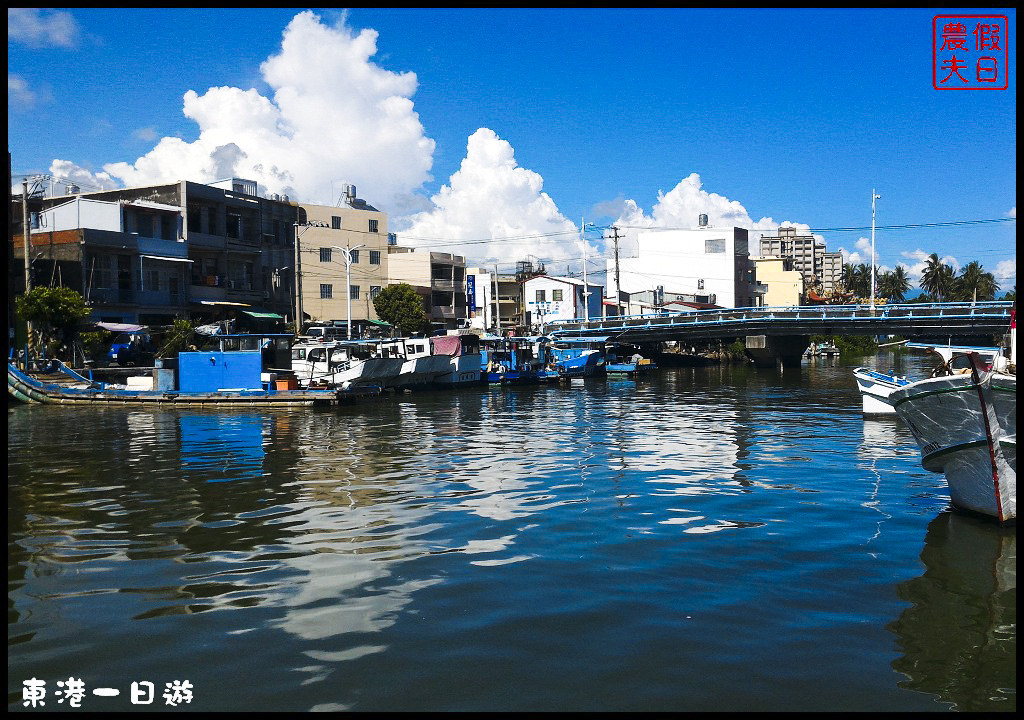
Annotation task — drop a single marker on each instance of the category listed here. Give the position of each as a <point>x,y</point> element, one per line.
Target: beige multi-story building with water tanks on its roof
<point>344,262</point>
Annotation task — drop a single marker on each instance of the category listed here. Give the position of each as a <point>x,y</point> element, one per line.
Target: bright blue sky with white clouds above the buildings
<point>493,134</point>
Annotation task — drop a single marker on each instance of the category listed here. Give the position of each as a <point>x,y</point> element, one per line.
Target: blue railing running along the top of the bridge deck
<point>878,314</point>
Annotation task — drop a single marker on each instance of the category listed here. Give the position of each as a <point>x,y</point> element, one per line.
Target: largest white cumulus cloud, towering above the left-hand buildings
<point>335,117</point>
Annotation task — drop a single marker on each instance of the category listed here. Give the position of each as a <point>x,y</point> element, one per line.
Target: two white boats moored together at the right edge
<point>964,419</point>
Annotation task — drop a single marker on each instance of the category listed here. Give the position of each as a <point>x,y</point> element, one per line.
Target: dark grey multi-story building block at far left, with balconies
<point>148,255</point>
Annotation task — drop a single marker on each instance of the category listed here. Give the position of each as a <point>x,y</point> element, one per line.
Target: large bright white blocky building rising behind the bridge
<point>710,262</point>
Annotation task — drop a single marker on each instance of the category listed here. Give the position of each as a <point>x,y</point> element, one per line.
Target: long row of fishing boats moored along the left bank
<point>276,370</point>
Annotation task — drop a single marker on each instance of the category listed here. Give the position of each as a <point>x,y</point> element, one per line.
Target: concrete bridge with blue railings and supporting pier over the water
<point>780,335</point>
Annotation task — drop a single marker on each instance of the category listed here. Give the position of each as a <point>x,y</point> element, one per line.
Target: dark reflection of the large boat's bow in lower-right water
<point>959,637</point>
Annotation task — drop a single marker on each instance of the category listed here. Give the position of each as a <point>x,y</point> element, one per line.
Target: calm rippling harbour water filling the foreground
<point>722,539</point>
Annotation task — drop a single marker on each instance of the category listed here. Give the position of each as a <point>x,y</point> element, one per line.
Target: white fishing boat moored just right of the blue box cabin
<point>345,364</point>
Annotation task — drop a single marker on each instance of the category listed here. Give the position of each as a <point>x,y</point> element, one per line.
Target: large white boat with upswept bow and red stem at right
<point>966,427</point>
